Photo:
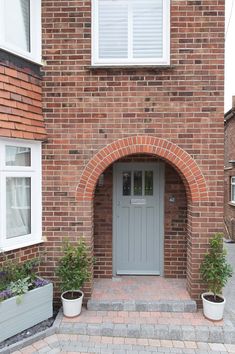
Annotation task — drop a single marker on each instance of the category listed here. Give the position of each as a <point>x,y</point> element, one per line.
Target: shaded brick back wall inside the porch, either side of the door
<point>175,228</point>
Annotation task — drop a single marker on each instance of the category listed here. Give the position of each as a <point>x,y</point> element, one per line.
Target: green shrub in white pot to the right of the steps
<point>215,273</point>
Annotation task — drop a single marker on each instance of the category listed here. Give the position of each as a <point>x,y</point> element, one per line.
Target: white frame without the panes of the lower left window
<point>34,172</point>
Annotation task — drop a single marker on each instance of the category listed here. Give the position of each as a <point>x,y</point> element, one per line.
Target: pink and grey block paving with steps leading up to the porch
<point>140,331</point>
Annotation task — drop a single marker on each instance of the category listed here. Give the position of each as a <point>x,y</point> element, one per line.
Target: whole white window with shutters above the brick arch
<point>131,32</point>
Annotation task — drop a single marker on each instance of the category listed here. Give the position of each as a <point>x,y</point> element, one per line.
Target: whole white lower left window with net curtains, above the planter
<point>20,191</point>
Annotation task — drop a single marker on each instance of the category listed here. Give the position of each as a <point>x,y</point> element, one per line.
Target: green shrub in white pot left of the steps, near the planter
<point>73,271</point>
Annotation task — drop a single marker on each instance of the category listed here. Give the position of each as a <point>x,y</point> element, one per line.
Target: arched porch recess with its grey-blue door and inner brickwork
<point>143,232</point>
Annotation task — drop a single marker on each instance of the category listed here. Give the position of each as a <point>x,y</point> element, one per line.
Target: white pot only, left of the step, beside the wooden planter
<point>72,307</point>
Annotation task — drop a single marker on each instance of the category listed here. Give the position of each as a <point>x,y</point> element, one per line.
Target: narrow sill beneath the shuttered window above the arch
<point>129,67</point>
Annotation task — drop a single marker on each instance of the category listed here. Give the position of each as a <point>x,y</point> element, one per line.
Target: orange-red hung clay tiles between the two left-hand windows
<point>20,103</point>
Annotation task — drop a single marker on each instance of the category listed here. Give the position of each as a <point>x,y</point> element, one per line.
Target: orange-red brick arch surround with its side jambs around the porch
<point>180,160</point>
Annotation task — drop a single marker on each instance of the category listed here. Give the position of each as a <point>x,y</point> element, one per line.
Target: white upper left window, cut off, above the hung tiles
<point>20,28</point>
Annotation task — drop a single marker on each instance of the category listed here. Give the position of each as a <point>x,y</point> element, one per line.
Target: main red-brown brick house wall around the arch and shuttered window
<point>86,109</point>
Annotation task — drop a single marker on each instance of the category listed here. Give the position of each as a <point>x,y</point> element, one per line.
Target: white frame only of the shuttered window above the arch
<point>165,60</point>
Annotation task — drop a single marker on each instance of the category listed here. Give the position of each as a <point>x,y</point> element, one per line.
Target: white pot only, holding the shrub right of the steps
<point>213,310</point>
